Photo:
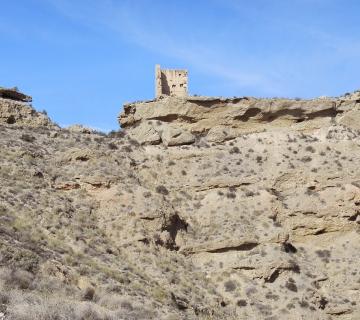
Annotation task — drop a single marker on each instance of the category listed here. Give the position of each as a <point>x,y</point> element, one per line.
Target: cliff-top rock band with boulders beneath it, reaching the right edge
<point>221,119</point>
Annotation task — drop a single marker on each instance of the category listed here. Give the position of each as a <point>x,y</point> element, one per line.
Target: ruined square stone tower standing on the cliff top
<point>170,82</point>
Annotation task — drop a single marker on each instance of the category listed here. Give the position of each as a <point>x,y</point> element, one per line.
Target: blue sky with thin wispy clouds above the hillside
<point>82,59</point>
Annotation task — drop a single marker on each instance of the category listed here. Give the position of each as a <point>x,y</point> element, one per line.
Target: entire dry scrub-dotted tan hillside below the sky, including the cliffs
<point>200,208</point>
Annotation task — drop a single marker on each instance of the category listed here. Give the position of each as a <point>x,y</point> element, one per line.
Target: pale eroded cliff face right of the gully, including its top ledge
<point>269,191</point>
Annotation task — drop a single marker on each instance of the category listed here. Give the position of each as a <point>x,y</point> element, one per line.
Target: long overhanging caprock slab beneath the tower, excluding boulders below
<point>201,114</point>
